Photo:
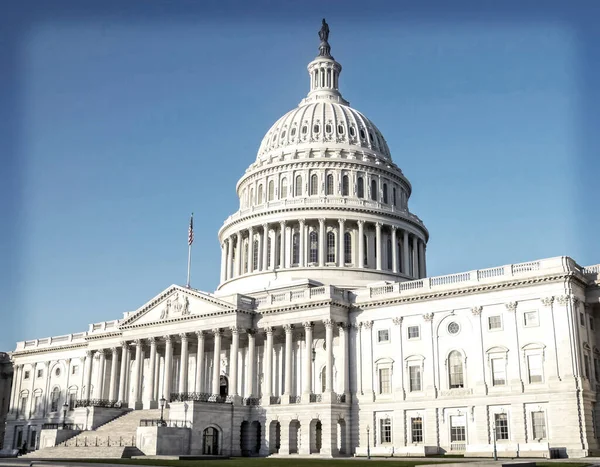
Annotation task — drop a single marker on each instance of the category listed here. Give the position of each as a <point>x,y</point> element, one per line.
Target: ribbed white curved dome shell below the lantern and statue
<point>324,124</point>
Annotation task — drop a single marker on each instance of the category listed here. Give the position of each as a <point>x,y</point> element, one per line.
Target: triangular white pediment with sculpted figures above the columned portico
<point>175,304</point>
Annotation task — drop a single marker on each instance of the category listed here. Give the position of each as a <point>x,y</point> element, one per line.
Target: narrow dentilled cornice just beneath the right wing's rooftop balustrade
<point>461,291</point>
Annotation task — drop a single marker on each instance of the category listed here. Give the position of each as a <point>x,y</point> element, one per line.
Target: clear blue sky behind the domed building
<point>118,120</point>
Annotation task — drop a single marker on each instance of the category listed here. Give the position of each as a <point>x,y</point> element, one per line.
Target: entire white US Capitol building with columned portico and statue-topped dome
<point>325,335</point>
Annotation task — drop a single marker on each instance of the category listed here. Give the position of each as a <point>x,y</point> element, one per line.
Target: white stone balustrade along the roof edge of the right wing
<point>546,266</point>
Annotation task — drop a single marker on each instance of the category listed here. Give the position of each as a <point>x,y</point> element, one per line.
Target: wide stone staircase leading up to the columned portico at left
<point>115,439</point>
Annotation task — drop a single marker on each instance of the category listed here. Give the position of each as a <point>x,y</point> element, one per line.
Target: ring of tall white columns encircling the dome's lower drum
<point>237,261</point>
